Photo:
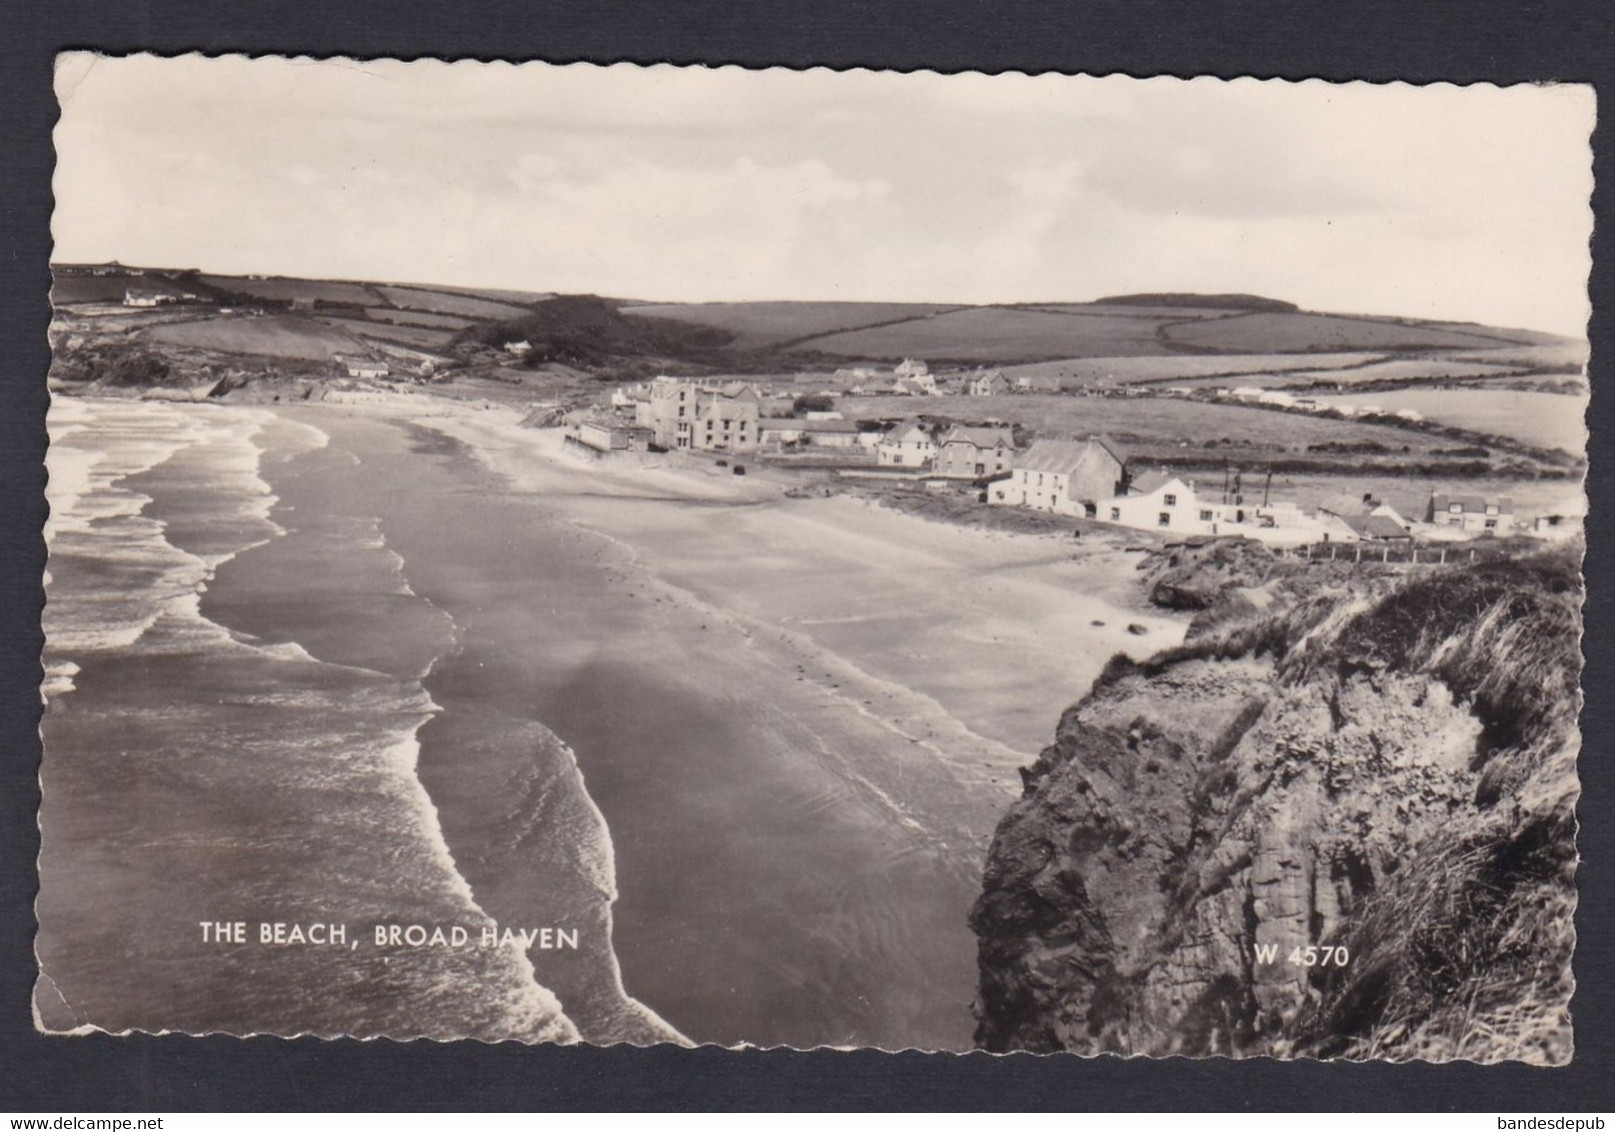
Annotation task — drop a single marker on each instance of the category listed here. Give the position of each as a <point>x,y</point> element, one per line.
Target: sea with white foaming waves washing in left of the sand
<point>237,836</point>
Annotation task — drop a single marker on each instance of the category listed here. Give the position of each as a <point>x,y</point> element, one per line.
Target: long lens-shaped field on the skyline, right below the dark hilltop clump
<point>1298,332</point>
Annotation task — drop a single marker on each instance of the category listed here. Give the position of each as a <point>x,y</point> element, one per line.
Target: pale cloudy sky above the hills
<point>697,185</point>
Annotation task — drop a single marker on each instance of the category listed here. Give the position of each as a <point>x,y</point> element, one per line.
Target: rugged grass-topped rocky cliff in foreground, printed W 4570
<point>1375,765</point>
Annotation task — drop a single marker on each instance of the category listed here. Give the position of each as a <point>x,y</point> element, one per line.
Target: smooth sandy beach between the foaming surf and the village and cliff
<point>768,703</point>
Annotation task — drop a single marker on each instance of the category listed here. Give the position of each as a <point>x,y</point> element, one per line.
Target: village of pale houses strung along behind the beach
<point>1080,477</point>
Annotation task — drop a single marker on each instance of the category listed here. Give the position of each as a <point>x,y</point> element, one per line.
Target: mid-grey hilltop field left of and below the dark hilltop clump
<point>1000,335</point>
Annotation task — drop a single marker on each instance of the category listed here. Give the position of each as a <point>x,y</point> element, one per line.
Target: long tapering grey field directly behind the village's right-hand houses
<point>1159,421</point>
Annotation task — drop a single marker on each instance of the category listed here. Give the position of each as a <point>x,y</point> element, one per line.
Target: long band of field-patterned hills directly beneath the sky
<point>1138,338</point>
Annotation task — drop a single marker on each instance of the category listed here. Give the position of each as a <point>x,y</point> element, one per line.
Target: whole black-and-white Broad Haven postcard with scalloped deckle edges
<point>647,555</point>
